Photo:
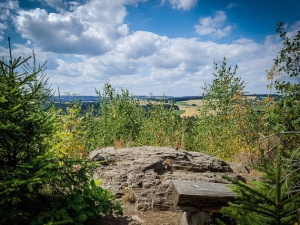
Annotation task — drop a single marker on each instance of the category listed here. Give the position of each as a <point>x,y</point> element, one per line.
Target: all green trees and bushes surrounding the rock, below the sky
<point>46,179</point>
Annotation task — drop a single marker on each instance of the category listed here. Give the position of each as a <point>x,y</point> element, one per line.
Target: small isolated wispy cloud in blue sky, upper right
<point>213,25</point>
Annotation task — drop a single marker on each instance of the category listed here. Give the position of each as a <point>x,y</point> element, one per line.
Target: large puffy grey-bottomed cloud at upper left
<point>85,30</point>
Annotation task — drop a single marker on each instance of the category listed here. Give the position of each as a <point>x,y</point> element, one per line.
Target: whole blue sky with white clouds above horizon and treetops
<point>158,47</point>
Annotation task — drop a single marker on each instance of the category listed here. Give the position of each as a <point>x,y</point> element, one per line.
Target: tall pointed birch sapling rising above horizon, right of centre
<point>228,123</point>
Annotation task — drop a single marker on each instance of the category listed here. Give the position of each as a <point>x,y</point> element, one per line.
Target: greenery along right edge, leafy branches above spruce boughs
<point>275,199</point>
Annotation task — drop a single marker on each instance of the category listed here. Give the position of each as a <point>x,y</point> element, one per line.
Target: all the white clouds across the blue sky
<point>86,46</point>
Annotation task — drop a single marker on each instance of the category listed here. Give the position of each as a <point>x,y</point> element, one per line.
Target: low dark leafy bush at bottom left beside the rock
<point>72,195</point>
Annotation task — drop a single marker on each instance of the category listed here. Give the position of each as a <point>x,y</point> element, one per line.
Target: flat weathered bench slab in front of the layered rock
<point>193,196</point>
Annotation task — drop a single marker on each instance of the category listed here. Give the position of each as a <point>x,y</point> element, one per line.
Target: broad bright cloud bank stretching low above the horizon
<point>176,66</point>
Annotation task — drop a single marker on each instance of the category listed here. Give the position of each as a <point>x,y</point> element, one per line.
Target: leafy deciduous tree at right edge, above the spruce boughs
<point>284,115</point>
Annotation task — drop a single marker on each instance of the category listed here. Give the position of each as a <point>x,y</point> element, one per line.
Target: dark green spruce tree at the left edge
<point>24,123</point>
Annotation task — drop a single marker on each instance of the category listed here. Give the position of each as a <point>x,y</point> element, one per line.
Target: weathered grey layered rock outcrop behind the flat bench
<point>147,172</point>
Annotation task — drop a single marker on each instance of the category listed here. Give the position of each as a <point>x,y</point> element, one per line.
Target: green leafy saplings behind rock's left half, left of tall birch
<point>122,121</point>
